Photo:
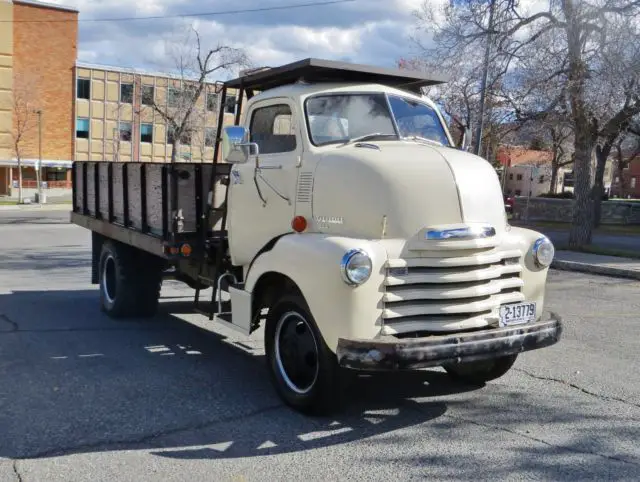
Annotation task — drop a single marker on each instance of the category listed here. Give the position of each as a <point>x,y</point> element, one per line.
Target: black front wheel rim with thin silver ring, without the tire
<point>296,352</point>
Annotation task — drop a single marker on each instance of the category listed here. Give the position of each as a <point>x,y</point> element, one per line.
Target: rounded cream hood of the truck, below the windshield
<point>399,189</point>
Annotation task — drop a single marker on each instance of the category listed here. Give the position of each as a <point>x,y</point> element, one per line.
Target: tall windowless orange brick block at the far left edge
<point>38,50</point>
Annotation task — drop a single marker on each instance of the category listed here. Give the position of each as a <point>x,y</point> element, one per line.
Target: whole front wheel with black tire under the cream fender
<point>318,389</point>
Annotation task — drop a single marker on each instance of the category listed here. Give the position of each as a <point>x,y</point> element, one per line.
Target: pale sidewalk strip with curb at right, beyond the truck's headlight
<point>597,264</point>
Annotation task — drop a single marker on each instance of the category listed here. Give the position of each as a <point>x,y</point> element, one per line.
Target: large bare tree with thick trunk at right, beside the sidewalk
<point>556,58</point>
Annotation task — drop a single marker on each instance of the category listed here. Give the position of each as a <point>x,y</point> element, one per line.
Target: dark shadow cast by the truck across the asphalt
<point>74,381</point>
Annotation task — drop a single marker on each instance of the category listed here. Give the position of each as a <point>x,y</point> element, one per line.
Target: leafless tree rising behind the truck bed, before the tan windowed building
<point>195,65</point>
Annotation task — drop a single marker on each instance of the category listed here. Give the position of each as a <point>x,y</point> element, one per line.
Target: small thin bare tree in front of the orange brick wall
<point>25,120</point>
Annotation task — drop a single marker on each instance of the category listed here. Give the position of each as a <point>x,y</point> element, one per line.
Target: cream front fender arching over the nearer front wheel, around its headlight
<point>312,261</point>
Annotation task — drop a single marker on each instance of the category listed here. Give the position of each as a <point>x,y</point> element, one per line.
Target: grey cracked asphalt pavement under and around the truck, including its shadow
<point>175,398</point>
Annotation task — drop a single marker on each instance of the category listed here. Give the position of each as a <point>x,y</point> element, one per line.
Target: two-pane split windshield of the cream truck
<point>342,117</point>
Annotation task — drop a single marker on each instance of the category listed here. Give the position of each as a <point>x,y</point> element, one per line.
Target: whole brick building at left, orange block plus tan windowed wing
<point>81,111</point>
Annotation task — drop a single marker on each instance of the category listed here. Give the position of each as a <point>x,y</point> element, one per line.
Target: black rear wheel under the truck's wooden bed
<point>129,281</point>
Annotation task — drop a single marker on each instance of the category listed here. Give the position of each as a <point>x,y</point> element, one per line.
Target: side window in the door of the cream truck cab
<point>272,129</point>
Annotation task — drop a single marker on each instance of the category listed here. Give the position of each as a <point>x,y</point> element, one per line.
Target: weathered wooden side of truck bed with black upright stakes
<point>131,201</point>
